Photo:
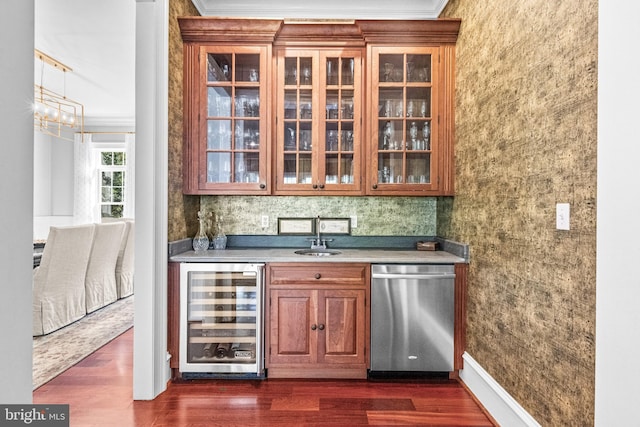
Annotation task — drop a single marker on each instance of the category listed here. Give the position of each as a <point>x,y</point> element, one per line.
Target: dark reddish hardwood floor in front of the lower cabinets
<point>99,392</point>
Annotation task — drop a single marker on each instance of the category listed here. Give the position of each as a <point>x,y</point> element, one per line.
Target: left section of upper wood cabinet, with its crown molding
<point>227,105</point>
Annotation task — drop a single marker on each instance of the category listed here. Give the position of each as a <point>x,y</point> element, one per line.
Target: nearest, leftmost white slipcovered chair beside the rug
<point>59,281</point>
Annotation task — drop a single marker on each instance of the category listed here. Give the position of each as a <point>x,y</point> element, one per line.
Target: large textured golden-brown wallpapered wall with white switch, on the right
<point>526,140</point>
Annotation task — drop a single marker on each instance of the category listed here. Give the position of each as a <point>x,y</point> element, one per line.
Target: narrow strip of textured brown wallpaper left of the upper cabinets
<point>178,226</point>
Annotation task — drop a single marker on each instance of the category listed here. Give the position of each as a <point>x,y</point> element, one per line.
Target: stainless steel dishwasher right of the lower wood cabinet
<point>412,318</point>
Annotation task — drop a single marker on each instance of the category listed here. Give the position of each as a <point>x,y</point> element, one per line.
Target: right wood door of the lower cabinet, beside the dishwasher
<point>341,326</point>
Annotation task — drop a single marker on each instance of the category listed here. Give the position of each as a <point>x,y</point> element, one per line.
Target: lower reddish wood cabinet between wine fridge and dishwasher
<point>317,320</point>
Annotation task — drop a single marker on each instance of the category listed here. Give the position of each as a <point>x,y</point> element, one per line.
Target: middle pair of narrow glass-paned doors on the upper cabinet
<point>318,116</point>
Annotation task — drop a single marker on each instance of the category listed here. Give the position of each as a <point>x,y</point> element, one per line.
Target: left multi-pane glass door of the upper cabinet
<point>235,118</point>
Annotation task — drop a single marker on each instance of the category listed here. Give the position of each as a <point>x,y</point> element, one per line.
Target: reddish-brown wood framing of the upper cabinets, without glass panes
<point>274,35</point>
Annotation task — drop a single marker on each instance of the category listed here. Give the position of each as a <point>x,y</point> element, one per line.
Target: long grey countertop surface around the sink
<point>374,256</point>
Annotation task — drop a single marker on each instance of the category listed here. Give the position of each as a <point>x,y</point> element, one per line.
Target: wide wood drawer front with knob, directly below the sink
<point>318,273</point>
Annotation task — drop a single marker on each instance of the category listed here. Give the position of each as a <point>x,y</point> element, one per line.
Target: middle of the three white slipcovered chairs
<point>100,281</point>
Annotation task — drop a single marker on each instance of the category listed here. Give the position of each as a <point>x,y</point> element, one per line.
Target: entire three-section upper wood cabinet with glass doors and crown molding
<point>318,108</point>
